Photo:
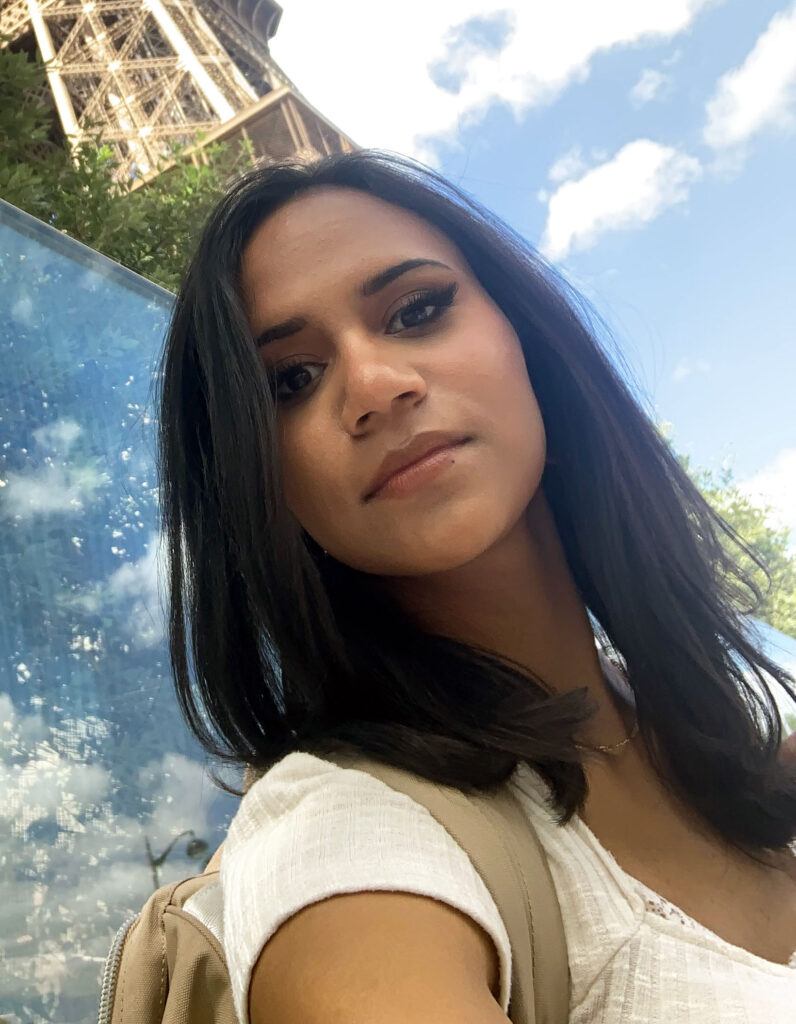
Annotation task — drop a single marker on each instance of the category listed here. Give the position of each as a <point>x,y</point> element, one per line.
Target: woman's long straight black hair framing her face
<point>276,649</point>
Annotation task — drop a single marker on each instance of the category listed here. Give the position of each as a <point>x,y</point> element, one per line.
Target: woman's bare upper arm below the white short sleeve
<point>378,958</point>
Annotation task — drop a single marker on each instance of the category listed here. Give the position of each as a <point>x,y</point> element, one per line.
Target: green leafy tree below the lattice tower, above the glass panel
<point>151,230</point>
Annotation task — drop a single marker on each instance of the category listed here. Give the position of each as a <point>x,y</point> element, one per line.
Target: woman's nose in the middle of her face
<point>379,379</point>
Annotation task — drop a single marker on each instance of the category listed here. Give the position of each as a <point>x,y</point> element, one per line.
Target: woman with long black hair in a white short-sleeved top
<point>340,322</point>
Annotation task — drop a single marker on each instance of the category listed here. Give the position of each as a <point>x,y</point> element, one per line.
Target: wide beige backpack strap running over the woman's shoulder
<point>505,849</point>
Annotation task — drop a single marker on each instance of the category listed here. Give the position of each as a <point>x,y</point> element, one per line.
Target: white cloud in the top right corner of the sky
<point>762,93</point>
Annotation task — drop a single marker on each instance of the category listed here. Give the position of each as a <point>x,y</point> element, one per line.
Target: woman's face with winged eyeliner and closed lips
<point>426,351</point>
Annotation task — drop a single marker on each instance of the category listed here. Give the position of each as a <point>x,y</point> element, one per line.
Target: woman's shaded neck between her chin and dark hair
<point>519,600</point>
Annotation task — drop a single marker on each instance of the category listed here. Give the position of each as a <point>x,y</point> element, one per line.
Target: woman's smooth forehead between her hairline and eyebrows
<point>333,237</point>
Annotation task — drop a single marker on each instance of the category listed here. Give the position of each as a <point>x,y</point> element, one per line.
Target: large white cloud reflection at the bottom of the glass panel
<point>59,823</point>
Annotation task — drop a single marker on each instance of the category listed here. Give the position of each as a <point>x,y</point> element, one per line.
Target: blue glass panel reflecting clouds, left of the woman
<point>98,773</point>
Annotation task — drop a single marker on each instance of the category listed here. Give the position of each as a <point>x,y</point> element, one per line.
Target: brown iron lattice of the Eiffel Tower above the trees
<point>154,73</point>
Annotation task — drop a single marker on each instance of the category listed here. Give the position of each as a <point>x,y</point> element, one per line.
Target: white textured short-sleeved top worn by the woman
<point>310,830</point>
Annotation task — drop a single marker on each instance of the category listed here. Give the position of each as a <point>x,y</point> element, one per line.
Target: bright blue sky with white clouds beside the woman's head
<point>648,148</point>
